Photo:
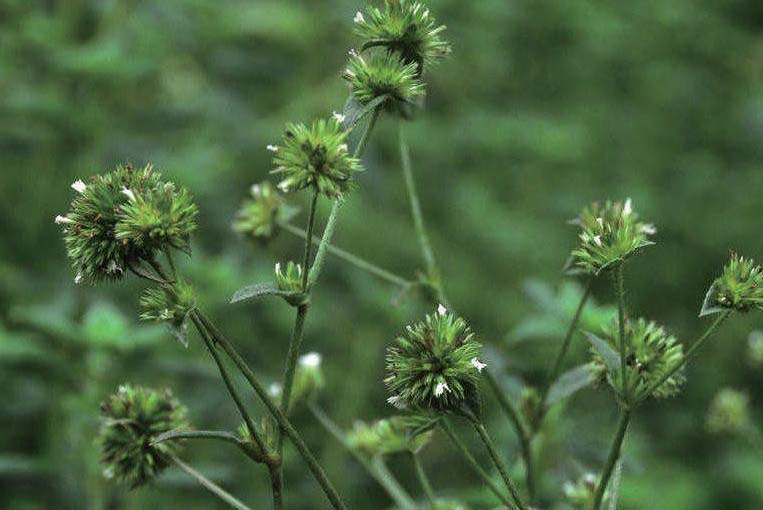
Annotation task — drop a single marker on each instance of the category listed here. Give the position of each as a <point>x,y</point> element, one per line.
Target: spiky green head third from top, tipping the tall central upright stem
<point>315,156</point>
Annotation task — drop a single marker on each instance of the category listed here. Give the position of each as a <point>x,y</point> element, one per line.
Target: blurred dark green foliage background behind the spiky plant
<point>543,107</point>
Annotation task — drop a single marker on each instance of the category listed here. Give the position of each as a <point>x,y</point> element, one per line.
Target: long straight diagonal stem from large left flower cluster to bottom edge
<point>280,417</point>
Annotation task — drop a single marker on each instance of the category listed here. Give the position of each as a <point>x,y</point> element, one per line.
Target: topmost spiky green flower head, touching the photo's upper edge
<point>403,27</point>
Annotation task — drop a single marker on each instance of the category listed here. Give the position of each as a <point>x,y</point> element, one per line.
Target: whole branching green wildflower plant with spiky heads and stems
<point>132,221</point>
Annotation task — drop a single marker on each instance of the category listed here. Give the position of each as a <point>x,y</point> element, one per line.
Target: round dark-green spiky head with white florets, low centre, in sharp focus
<point>435,365</point>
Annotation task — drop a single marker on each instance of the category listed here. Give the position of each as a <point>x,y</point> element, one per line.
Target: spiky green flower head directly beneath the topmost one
<point>383,74</point>
